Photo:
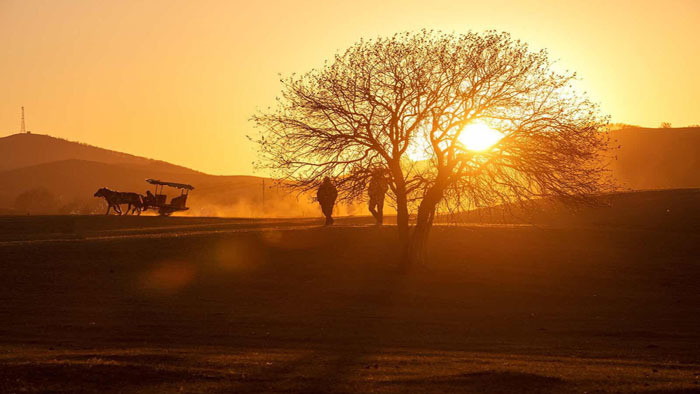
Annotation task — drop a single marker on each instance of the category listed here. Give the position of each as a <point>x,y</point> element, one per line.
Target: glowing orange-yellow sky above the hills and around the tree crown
<point>178,80</point>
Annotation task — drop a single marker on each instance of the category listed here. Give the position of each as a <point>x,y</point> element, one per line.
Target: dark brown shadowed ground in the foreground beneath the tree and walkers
<point>114,304</point>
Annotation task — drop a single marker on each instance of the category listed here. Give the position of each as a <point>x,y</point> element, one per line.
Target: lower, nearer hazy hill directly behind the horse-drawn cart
<point>73,182</point>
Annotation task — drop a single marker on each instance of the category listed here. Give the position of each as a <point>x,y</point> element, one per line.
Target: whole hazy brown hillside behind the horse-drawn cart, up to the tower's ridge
<point>72,172</point>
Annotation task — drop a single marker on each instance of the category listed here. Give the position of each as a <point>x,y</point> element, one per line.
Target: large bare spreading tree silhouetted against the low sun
<point>381,99</point>
